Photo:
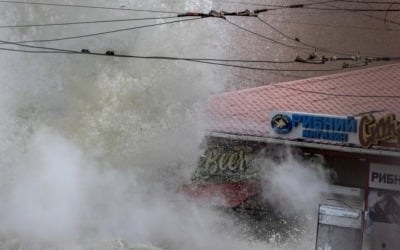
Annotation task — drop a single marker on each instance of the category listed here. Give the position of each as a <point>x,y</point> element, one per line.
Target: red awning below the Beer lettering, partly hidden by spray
<point>222,194</point>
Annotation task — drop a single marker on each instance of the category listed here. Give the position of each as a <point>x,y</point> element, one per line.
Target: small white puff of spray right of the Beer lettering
<point>294,186</point>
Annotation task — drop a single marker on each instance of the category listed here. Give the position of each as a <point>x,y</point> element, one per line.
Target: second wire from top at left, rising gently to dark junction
<point>85,22</point>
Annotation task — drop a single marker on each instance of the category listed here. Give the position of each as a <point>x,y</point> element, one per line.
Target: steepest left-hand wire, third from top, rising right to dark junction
<point>104,32</point>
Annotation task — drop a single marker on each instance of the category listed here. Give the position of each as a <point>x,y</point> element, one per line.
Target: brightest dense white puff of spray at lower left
<point>46,195</point>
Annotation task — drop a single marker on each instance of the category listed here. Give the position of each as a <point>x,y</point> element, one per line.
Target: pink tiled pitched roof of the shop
<point>246,112</point>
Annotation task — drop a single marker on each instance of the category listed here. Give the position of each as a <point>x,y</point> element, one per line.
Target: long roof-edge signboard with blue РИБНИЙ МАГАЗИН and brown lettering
<point>365,130</point>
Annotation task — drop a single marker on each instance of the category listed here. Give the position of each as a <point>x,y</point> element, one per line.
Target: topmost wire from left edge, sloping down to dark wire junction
<point>88,7</point>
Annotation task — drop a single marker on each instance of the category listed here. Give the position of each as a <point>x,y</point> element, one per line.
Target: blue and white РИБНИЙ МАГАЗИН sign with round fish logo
<point>319,127</point>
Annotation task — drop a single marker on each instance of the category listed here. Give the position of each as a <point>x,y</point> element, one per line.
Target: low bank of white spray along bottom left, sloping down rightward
<point>65,199</point>
